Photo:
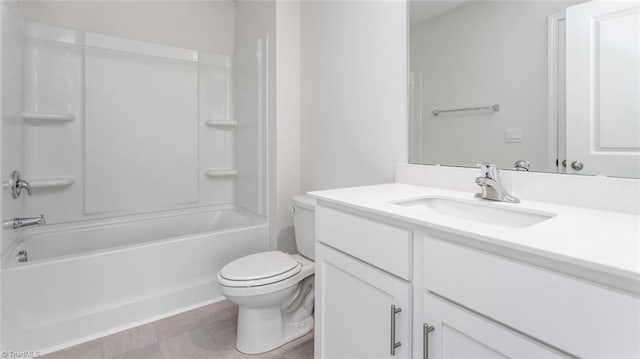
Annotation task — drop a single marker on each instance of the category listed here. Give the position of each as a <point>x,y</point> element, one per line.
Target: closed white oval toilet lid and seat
<point>259,269</point>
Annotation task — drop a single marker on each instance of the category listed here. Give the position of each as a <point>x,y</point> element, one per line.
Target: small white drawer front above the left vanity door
<point>382,245</point>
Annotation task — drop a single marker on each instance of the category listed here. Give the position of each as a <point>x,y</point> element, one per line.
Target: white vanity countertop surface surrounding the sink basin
<point>600,241</point>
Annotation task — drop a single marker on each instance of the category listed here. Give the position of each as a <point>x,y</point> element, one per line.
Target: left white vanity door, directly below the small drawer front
<point>353,309</point>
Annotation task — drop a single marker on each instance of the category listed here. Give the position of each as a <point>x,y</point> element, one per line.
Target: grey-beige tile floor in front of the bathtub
<point>206,332</point>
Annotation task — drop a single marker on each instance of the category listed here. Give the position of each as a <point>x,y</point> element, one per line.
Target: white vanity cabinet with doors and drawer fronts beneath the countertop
<point>459,298</point>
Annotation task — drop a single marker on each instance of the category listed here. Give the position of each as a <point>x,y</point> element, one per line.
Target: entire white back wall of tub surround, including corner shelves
<point>146,127</point>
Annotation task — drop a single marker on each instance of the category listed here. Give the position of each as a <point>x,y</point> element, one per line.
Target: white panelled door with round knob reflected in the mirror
<point>603,88</point>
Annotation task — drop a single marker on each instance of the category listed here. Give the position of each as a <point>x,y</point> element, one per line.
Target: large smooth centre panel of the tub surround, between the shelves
<point>141,122</point>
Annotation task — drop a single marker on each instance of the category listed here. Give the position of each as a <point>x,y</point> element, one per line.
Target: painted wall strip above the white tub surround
<point>200,25</point>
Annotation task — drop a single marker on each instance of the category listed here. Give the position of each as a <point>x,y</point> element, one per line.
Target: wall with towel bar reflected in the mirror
<point>484,53</point>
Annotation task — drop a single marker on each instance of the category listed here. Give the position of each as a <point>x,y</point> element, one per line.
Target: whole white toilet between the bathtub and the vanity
<point>274,290</point>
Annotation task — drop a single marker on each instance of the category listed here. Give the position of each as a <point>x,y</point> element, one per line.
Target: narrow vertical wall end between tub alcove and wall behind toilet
<point>287,134</point>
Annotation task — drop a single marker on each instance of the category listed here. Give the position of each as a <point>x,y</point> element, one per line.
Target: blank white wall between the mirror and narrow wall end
<point>354,92</point>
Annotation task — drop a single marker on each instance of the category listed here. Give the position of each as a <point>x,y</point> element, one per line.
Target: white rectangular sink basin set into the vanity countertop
<point>483,212</point>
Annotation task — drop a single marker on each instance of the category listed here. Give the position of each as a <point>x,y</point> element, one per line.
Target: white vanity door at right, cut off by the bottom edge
<point>461,334</point>
